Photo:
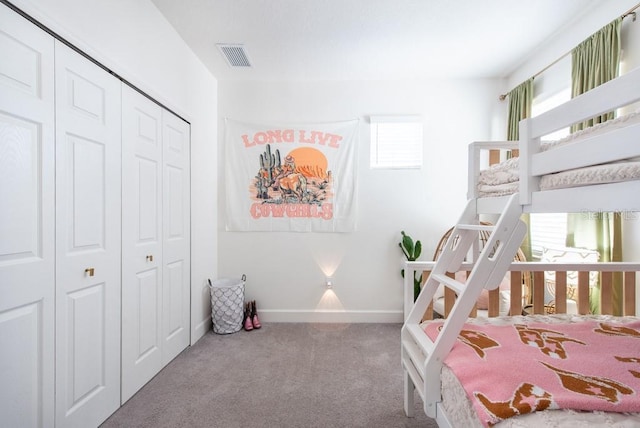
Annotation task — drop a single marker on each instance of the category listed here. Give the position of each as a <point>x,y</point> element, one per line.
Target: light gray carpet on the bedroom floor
<point>283,375</point>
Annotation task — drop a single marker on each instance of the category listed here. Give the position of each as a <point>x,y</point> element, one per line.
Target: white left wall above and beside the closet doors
<point>133,39</point>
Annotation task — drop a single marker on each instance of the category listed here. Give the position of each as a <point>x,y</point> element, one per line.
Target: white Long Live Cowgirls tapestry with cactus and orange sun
<point>299,178</point>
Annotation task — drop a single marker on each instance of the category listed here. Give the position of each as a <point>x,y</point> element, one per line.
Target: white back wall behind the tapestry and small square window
<point>284,270</point>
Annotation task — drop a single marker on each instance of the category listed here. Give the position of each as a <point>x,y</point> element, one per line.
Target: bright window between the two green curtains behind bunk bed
<point>549,230</point>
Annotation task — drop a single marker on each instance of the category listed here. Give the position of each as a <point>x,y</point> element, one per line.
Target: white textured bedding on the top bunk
<point>502,178</point>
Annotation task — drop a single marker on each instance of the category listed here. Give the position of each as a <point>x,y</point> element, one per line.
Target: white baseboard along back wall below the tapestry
<point>330,316</point>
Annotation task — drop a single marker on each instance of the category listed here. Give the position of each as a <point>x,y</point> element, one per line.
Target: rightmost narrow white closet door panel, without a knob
<point>176,236</point>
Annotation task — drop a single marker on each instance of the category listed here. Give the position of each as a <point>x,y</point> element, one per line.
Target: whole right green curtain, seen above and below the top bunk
<point>594,62</point>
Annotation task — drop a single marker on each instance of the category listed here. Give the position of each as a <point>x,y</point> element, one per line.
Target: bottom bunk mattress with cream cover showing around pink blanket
<point>460,411</point>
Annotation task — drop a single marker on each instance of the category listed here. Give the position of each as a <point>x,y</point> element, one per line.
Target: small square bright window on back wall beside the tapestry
<point>396,142</point>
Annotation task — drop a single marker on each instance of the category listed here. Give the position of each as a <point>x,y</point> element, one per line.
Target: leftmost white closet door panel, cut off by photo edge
<point>26,223</point>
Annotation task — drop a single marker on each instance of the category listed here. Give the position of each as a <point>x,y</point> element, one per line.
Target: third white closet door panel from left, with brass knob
<point>141,241</point>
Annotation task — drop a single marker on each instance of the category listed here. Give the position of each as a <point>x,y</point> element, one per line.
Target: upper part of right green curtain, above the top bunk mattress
<point>594,62</point>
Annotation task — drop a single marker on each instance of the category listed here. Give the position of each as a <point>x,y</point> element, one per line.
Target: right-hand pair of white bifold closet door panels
<point>155,239</point>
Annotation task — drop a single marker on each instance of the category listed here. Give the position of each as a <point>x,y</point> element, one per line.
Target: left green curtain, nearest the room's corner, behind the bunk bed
<point>520,101</point>
